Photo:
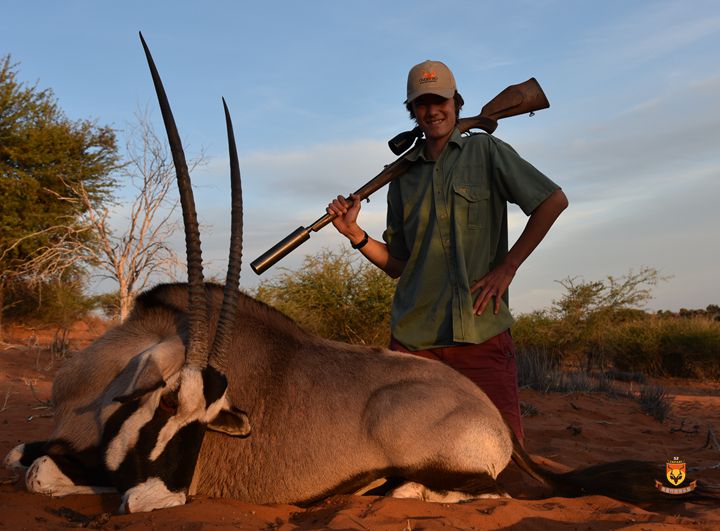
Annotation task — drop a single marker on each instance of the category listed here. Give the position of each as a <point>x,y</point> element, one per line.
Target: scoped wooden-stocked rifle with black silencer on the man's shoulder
<point>522,98</point>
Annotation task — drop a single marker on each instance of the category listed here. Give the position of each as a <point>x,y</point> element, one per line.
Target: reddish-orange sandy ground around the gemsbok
<point>574,430</point>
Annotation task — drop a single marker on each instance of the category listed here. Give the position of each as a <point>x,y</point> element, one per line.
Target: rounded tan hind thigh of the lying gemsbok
<point>453,442</point>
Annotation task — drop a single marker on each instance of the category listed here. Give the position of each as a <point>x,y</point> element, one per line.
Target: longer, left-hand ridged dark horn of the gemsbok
<point>196,354</point>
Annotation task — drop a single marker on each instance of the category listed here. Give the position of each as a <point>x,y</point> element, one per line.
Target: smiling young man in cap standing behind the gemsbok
<point>446,240</point>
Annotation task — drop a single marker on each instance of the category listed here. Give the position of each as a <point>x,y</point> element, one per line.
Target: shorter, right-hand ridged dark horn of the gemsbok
<point>218,353</point>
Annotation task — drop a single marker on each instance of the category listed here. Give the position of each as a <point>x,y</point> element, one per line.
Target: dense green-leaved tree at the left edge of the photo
<point>44,157</point>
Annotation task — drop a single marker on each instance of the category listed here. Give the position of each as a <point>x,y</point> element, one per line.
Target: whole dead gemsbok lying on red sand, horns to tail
<point>270,413</point>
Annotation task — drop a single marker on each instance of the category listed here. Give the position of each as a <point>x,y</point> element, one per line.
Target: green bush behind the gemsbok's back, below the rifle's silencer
<point>338,295</point>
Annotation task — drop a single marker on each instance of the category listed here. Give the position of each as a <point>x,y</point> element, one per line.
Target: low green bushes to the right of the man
<point>599,324</point>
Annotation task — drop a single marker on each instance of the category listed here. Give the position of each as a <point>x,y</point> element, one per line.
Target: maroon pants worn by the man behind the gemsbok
<point>490,365</point>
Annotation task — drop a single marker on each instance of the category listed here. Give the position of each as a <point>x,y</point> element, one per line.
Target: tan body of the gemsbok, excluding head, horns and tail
<point>326,416</point>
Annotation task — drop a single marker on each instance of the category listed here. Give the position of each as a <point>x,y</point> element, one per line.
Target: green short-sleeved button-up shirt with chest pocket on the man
<point>448,220</point>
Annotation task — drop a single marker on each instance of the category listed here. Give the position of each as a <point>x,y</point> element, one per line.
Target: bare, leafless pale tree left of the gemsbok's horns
<point>140,249</point>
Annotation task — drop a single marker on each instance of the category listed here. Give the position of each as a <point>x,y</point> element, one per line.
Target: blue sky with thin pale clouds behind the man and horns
<point>316,89</point>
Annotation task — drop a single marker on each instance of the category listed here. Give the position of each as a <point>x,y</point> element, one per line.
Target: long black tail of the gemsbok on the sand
<point>628,480</point>
